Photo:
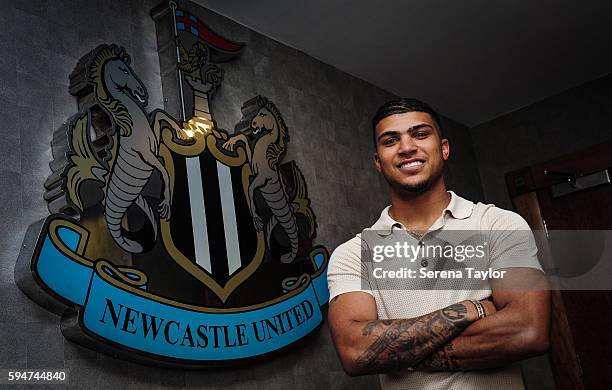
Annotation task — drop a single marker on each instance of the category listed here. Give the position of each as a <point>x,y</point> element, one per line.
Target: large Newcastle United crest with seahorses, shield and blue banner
<point>171,240</point>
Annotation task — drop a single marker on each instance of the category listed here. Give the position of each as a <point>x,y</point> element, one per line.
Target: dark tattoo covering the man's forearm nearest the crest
<point>404,343</point>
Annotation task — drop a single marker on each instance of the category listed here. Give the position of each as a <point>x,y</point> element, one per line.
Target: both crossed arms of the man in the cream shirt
<point>449,339</point>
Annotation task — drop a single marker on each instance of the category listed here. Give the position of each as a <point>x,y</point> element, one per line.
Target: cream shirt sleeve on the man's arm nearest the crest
<point>344,272</point>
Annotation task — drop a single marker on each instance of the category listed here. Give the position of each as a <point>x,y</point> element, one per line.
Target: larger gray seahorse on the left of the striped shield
<point>122,95</point>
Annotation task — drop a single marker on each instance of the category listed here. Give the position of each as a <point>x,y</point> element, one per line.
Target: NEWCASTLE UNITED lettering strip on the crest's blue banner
<point>188,335</point>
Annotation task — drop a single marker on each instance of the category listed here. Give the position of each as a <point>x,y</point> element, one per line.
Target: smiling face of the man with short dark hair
<point>409,151</point>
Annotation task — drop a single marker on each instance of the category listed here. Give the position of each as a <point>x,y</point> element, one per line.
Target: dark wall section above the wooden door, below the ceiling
<point>561,124</point>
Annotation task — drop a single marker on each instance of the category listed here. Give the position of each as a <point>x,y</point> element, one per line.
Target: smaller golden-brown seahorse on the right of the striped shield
<point>269,126</point>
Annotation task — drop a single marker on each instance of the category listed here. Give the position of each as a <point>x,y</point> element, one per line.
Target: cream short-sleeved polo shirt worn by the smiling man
<point>344,275</point>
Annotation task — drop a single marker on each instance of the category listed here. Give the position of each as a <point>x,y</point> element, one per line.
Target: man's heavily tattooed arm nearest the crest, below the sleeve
<point>367,345</point>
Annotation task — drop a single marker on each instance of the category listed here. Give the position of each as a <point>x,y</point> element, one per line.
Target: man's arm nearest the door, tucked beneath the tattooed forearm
<point>518,329</point>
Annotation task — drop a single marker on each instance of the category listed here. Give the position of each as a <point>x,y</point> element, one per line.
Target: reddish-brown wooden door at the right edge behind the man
<point>572,192</point>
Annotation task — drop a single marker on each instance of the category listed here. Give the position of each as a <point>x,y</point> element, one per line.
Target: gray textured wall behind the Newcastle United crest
<point>328,114</point>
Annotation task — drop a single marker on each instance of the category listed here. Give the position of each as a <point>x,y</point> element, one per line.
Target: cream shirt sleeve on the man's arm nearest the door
<point>511,241</point>
